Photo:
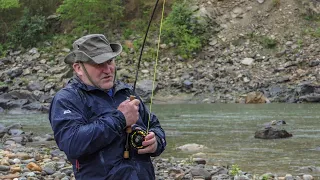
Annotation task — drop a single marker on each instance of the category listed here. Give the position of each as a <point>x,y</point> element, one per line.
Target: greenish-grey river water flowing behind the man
<point>228,132</point>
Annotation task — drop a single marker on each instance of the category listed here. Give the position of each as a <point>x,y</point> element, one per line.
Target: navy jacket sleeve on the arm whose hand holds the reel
<point>155,127</point>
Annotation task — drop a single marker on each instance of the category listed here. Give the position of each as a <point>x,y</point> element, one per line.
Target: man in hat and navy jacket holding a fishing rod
<point>90,115</point>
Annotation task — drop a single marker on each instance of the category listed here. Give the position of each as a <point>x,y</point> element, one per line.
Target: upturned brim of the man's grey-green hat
<point>75,56</point>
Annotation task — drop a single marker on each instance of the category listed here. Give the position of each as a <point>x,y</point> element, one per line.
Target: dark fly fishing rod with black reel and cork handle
<point>138,136</point>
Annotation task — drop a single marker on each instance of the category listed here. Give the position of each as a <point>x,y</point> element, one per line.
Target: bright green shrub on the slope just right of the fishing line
<point>182,29</point>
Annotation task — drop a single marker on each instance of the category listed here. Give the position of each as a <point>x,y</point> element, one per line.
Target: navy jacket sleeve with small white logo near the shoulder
<point>74,133</point>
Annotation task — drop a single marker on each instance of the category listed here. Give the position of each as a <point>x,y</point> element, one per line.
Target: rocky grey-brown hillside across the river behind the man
<point>270,46</point>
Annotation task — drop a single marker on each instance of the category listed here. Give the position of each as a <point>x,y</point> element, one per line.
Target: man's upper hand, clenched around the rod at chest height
<point>130,110</point>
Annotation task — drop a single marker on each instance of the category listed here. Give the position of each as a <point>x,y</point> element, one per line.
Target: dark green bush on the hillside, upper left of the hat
<point>28,31</point>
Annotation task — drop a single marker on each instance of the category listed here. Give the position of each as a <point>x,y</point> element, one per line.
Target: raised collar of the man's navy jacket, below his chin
<point>118,85</point>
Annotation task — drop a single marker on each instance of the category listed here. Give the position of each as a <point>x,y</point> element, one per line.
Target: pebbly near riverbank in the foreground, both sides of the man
<point>25,156</point>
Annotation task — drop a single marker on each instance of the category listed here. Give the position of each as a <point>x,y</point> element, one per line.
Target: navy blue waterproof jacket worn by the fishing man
<point>91,131</point>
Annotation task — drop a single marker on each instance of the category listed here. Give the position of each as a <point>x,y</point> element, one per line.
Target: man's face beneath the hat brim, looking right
<point>102,75</point>
